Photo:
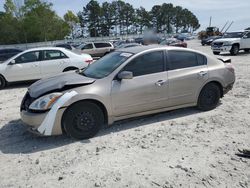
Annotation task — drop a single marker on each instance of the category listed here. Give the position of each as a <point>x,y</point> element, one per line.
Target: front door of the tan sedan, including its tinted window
<point>148,90</point>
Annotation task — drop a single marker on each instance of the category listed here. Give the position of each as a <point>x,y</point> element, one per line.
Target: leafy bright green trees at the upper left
<point>34,21</point>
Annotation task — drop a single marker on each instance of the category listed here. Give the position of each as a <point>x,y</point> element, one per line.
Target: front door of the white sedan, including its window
<point>26,67</point>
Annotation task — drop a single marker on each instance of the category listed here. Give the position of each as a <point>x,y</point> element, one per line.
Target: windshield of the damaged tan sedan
<point>106,65</point>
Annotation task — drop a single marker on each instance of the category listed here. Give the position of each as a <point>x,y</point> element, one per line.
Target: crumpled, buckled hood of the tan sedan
<point>58,83</point>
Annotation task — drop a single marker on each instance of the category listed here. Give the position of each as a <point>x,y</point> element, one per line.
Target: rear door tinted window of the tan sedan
<point>183,59</point>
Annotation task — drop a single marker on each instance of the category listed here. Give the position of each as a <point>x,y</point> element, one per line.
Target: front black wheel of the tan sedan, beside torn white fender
<point>83,120</point>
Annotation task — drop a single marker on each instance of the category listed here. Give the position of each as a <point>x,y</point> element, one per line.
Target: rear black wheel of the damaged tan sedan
<point>209,97</point>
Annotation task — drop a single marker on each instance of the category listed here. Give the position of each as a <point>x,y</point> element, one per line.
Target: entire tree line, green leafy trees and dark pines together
<point>35,20</point>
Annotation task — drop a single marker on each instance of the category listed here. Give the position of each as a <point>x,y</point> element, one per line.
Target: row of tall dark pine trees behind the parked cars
<point>122,18</point>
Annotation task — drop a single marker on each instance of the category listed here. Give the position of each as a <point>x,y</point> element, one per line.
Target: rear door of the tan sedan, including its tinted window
<point>187,73</point>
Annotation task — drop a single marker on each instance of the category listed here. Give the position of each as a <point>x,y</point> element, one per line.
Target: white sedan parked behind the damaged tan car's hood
<point>37,63</point>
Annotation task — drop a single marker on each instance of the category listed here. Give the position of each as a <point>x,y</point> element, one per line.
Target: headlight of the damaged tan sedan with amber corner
<point>45,102</point>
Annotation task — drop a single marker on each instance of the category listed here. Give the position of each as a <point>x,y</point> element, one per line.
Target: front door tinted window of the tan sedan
<point>146,64</point>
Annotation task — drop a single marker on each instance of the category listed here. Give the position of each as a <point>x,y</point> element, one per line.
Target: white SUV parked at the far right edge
<point>232,42</point>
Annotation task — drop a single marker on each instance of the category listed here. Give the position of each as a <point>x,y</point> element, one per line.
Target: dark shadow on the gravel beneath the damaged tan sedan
<point>15,139</point>
